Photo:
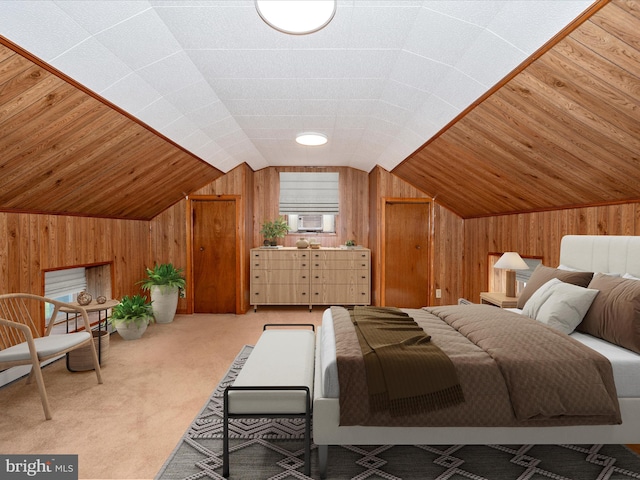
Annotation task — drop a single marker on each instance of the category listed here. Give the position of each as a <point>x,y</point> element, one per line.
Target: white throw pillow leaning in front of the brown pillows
<point>560,305</point>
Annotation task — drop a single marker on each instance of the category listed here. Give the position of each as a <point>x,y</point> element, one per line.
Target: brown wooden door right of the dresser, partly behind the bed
<point>405,279</point>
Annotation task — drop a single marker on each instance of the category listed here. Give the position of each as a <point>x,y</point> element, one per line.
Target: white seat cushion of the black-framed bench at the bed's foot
<point>280,358</point>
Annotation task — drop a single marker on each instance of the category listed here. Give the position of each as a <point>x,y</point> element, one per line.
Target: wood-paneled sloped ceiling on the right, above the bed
<point>563,132</point>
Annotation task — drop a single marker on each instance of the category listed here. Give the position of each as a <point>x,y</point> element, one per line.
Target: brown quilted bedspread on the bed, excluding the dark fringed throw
<point>513,371</point>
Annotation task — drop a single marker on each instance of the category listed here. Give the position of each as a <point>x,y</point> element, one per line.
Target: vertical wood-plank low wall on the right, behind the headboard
<point>537,234</point>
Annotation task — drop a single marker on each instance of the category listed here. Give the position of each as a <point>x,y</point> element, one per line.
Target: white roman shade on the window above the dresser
<point>309,193</point>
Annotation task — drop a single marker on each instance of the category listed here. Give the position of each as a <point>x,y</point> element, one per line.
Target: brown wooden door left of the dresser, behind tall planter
<point>214,256</point>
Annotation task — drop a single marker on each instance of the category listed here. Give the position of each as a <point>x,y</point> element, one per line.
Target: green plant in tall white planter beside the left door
<point>164,283</point>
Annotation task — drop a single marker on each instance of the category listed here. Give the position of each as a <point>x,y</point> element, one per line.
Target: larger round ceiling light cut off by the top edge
<point>296,17</point>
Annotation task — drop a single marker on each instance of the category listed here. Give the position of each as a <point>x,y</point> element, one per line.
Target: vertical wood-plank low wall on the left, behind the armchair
<point>33,243</point>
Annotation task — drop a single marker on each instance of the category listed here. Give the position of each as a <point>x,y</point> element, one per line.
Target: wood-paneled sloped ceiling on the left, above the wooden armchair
<point>64,151</point>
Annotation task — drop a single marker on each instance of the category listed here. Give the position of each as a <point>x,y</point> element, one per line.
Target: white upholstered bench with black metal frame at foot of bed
<point>275,381</point>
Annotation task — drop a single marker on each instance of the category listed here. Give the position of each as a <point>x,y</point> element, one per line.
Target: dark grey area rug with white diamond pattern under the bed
<point>273,449</point>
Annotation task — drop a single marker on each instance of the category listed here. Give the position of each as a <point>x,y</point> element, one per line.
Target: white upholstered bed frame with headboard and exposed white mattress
<point>616,255</point>
